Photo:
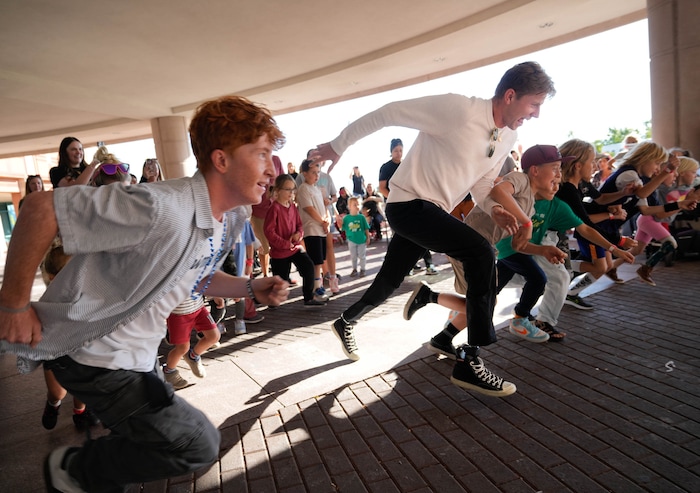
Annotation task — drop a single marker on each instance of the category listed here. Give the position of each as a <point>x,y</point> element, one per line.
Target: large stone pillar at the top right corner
<point>674,50</point>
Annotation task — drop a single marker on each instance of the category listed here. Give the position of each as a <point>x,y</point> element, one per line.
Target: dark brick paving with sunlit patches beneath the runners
<point>615,407</point>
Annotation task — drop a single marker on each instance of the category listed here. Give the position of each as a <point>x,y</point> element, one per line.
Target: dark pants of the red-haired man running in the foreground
<point>155,434</point>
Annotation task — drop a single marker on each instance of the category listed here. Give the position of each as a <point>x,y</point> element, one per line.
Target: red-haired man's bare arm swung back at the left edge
<point>35,230</point>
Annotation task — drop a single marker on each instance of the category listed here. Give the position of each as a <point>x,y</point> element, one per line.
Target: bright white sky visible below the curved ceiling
<point>597,88</point>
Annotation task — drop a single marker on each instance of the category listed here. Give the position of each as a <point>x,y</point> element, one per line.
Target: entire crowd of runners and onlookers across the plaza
<point>130,262</point>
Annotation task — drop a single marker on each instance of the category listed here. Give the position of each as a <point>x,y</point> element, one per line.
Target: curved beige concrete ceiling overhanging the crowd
<point>100,70</point>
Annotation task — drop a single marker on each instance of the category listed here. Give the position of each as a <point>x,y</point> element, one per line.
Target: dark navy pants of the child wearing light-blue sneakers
<point>535,280</point>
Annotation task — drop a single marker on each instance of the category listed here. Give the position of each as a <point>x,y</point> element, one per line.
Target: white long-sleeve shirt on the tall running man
<point>449,158</point>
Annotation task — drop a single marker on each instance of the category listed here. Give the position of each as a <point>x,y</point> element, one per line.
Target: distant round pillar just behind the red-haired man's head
<point>172,143</point>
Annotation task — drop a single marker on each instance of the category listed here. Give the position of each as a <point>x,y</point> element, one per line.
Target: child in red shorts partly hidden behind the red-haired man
<point>188,315</point>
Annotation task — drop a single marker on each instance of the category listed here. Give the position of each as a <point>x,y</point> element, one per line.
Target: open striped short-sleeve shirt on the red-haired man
<point>131,246</point>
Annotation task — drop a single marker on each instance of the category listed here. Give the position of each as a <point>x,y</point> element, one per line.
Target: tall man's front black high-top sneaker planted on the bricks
<point>471,374</point>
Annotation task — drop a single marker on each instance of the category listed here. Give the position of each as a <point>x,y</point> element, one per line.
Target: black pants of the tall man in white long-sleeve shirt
<point>418,226</point>
